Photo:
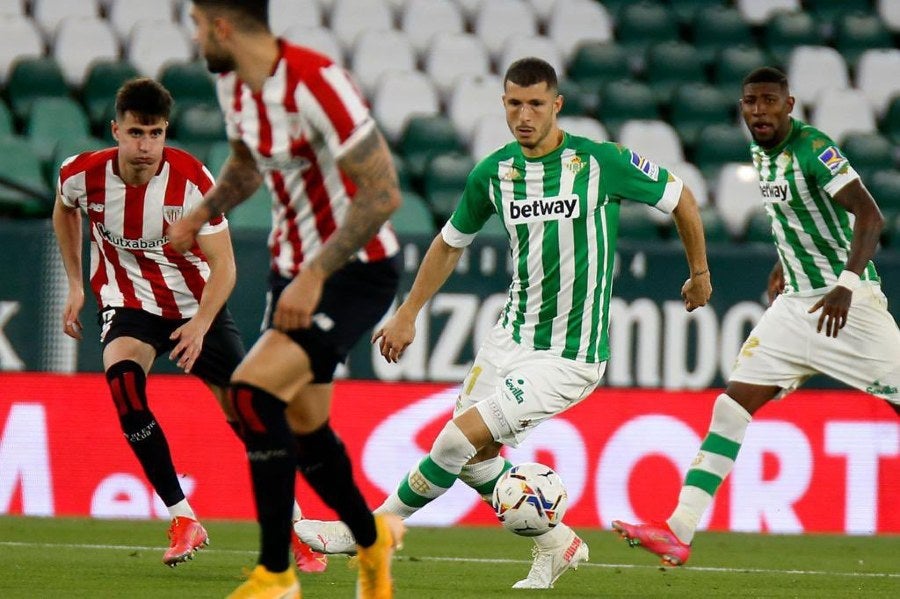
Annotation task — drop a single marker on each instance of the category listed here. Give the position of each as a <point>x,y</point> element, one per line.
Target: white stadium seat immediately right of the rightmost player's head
<point>814,69</point>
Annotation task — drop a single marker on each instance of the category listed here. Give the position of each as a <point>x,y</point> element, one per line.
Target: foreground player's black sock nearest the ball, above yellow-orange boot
<point>323,462</point>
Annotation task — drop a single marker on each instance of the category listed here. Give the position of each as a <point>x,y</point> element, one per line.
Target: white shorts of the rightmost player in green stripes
<point>784,348</point>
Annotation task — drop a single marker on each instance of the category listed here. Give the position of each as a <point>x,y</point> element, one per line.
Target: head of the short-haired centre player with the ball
<point>532,102</point>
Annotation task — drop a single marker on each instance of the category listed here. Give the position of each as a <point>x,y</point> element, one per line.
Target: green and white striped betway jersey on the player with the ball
<point>561,213</point>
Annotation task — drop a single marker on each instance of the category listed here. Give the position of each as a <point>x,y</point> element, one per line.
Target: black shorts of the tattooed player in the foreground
<point>353,301</point>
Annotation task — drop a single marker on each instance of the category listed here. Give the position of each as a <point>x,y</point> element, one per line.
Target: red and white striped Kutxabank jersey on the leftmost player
<point>132,263</point>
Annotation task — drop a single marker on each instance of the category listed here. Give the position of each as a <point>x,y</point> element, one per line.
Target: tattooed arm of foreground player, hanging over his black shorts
<point>368,164</point>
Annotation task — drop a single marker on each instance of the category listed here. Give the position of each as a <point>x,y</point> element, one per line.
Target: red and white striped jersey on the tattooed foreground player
<point>307,115</point>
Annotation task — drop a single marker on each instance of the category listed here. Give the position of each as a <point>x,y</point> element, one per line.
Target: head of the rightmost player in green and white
<point>766,105</point>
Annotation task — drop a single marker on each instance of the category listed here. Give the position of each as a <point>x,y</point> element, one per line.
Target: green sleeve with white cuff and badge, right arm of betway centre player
<point>630,176</point>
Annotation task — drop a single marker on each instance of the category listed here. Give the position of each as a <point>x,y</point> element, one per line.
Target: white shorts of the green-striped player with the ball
<point>515,388</point>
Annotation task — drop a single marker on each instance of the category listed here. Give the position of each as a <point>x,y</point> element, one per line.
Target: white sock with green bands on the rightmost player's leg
<point>713,463</point>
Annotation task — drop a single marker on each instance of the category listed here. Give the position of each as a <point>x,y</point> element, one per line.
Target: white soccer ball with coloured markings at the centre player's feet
<point>530,499</point>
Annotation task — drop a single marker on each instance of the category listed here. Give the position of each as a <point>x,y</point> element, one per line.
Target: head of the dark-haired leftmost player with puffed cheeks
<point>142,112</point>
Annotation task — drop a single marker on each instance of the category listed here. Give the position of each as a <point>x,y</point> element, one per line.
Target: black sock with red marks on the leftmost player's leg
<point>128,385</point>
